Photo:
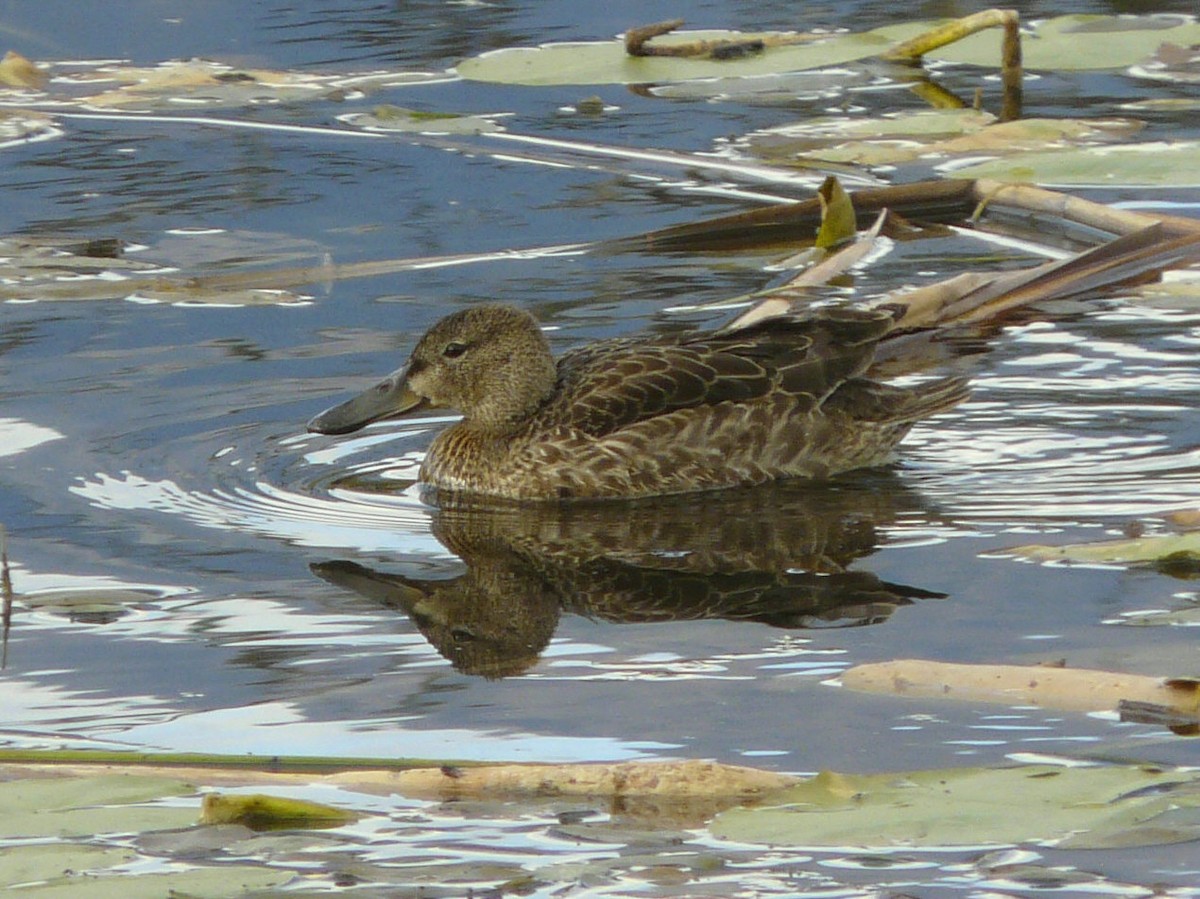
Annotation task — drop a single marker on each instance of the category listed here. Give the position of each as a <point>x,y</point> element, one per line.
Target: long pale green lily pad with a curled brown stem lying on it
<point>607,62</point>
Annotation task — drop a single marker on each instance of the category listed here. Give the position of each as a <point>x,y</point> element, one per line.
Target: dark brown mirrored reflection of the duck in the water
<point>778,555</point>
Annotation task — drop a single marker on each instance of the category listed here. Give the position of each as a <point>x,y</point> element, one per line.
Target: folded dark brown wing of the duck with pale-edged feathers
<point>609,386</point>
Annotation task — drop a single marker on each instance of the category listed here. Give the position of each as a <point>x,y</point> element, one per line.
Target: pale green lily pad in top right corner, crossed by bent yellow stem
<point>1069,43</point>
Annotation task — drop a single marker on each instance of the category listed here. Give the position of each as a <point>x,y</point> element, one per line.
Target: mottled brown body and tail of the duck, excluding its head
<point>670,415</point>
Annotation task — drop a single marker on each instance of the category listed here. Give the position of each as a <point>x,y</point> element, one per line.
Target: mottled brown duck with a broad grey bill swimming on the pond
<point>649,416</point>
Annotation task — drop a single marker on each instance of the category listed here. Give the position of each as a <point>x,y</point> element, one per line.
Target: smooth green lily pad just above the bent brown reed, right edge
<point>1151,165</point>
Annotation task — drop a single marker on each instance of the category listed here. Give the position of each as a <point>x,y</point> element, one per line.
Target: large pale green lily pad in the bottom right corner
<point>974,807</point>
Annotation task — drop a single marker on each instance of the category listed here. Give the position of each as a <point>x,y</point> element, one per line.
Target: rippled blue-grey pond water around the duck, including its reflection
<point>197,573</point>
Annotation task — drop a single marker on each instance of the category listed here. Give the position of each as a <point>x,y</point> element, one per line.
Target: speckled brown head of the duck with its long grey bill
<point>490,363</point>
